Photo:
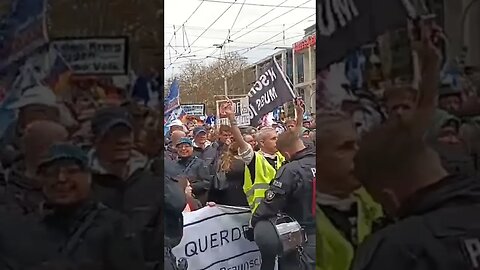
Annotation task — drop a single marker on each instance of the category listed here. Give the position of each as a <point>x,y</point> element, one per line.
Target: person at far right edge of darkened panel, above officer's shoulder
<point>444,137</point>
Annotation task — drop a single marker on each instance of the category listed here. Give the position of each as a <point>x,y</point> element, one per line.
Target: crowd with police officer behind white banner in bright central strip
<point>237,166</point>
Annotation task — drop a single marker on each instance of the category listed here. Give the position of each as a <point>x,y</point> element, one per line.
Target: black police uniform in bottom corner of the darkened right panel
<point>438,228</point>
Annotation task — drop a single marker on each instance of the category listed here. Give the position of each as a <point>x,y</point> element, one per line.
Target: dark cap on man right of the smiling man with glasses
<point>107,118</point>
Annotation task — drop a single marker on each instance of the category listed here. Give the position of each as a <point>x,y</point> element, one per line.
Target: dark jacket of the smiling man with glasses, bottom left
<point>89,237</point>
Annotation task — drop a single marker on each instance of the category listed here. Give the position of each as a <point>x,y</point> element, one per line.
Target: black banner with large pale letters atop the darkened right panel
<point>344,25</point>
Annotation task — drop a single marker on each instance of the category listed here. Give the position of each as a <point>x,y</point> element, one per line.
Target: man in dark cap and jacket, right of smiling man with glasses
<point>121,179</point>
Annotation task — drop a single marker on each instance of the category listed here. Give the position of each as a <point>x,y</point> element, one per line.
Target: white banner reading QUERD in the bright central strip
<point>214,239</point>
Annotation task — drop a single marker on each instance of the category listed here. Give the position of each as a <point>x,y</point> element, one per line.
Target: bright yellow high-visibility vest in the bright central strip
<point>264,174</point>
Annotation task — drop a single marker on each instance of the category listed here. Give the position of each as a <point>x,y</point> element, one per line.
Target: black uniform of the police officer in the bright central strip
<point>292,193</point>
